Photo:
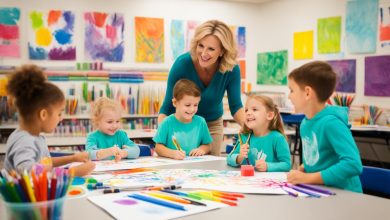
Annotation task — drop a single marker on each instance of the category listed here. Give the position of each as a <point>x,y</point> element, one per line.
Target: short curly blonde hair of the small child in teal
<point>101,104</point>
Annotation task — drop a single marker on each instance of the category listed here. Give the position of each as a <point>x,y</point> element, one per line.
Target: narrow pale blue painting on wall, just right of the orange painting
<point>177,38</point>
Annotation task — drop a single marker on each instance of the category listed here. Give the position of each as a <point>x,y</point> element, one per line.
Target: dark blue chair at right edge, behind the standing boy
<point>376,181</point>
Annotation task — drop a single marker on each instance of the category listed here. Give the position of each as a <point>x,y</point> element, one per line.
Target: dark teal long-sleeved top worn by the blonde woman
<point>210,106</point>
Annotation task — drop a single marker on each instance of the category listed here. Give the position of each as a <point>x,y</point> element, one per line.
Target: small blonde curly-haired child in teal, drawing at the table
<point>108,141</point>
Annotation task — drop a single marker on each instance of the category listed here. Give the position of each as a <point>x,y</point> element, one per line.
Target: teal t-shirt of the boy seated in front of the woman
<point>189,135</point>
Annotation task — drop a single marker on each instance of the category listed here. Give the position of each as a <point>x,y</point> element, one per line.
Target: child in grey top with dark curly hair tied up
<point>40,105</point>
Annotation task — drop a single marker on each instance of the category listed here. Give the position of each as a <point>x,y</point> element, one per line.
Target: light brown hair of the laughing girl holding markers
<point>276,123</point>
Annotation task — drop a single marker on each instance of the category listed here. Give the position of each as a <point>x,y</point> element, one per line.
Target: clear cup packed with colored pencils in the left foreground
<point>38,194</point>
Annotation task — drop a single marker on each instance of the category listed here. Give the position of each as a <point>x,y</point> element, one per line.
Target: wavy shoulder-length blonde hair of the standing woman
<point>225,36</point>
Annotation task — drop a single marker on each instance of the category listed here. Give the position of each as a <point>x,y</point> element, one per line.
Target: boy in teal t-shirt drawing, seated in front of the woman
<point>183,133</point>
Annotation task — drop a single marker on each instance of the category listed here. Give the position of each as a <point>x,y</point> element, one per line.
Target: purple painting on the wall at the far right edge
<point>377,76</point>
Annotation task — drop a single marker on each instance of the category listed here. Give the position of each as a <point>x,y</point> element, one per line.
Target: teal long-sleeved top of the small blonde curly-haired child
<point>98,140</point>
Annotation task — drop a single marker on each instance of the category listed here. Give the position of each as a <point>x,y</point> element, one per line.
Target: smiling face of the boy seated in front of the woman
<point>186,107</point>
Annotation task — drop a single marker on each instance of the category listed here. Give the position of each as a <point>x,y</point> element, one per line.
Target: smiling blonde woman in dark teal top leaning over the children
<point>211,64</point>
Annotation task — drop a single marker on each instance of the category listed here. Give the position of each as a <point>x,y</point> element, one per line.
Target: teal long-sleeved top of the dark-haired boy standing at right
<point>329,148</point>
